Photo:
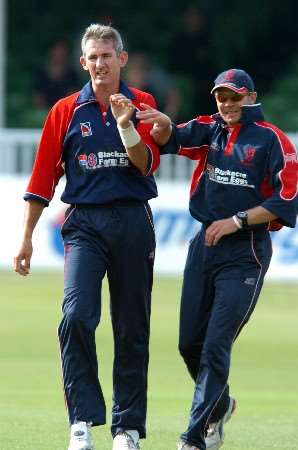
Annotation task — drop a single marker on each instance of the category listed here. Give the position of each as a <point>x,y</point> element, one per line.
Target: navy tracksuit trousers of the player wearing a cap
<point>220,289</point>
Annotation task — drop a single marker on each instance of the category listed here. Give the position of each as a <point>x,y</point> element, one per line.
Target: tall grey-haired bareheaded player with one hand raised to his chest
<point>108,158</point>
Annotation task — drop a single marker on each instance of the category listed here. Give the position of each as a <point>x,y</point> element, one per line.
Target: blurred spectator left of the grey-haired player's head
<point>57,79</point>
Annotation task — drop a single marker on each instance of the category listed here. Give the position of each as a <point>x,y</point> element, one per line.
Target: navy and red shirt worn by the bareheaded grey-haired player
<point>80,138</point>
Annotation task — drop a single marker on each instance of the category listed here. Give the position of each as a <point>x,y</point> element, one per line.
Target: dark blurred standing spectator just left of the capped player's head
<point>192,43</point>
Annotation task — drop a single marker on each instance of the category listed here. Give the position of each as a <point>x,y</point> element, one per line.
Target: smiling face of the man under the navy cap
<point>229,104</point>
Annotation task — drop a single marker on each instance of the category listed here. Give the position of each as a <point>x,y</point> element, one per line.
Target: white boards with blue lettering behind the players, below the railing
<point>173,223</point>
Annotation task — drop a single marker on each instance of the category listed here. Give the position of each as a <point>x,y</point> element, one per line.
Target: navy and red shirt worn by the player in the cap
<point>251,164</point>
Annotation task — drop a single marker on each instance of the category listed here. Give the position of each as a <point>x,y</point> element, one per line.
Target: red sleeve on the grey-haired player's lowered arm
<point>47,169</point>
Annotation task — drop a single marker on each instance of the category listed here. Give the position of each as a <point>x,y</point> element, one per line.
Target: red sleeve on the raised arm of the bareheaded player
<point>144,129</point>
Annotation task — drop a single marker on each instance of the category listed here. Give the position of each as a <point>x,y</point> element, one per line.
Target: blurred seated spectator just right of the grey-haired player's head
<point>144,75</point>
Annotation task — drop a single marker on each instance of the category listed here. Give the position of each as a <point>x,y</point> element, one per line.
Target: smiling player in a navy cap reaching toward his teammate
<point>244,185</point>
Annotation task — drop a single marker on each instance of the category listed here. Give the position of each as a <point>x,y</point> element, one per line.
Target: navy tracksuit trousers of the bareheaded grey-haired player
<point>117,240</point>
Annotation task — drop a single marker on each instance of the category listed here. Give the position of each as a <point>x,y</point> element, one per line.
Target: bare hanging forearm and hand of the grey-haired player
<point>21,262</point>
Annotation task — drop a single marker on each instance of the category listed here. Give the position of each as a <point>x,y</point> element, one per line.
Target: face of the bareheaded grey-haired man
<point>102,62</point>
